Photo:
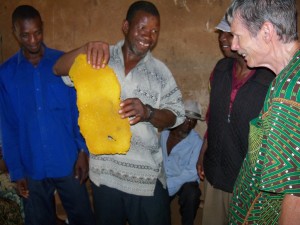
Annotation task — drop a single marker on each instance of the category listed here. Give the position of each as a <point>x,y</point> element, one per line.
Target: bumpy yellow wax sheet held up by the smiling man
<point>98,102</point>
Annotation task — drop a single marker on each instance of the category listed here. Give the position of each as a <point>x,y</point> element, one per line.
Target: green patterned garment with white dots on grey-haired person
<point>271,168</point>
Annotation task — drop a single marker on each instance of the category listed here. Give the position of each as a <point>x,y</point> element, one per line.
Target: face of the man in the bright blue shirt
<point>29,34</point>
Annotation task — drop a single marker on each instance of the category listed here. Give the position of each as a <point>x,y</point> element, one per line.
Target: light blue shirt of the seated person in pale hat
<point>180,165</point>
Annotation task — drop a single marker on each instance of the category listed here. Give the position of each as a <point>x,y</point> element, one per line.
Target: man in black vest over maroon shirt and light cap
<point>236,97</point>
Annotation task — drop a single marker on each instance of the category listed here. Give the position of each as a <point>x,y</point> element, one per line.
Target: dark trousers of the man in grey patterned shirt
<point>114,207</point>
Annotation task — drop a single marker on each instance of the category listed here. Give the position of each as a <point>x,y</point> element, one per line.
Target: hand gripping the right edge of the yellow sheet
<point>134,109</point>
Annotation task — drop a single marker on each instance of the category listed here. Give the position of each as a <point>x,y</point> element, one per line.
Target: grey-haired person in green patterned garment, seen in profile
<point>267,190</point>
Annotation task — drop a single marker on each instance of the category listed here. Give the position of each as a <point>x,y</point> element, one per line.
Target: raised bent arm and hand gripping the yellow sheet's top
<point>97,55</point>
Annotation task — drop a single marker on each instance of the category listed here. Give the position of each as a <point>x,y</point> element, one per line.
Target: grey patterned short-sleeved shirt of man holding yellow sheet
<point>137,171</point>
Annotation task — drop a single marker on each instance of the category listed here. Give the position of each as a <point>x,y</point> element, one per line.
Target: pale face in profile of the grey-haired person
<point>253,49</point>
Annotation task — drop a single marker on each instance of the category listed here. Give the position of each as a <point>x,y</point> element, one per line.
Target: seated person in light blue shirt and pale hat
<point>181,147</point>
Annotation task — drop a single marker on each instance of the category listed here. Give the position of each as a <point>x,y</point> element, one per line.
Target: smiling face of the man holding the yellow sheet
<point>141,35</point>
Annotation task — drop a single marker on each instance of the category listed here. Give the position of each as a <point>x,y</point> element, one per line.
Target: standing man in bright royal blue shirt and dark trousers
<point>42,145</point>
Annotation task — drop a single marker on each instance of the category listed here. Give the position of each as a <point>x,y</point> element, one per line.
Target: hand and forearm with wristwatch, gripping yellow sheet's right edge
<point>133,107</point>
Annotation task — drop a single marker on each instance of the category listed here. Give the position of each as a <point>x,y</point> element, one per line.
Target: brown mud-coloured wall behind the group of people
<point>187,44</point>
